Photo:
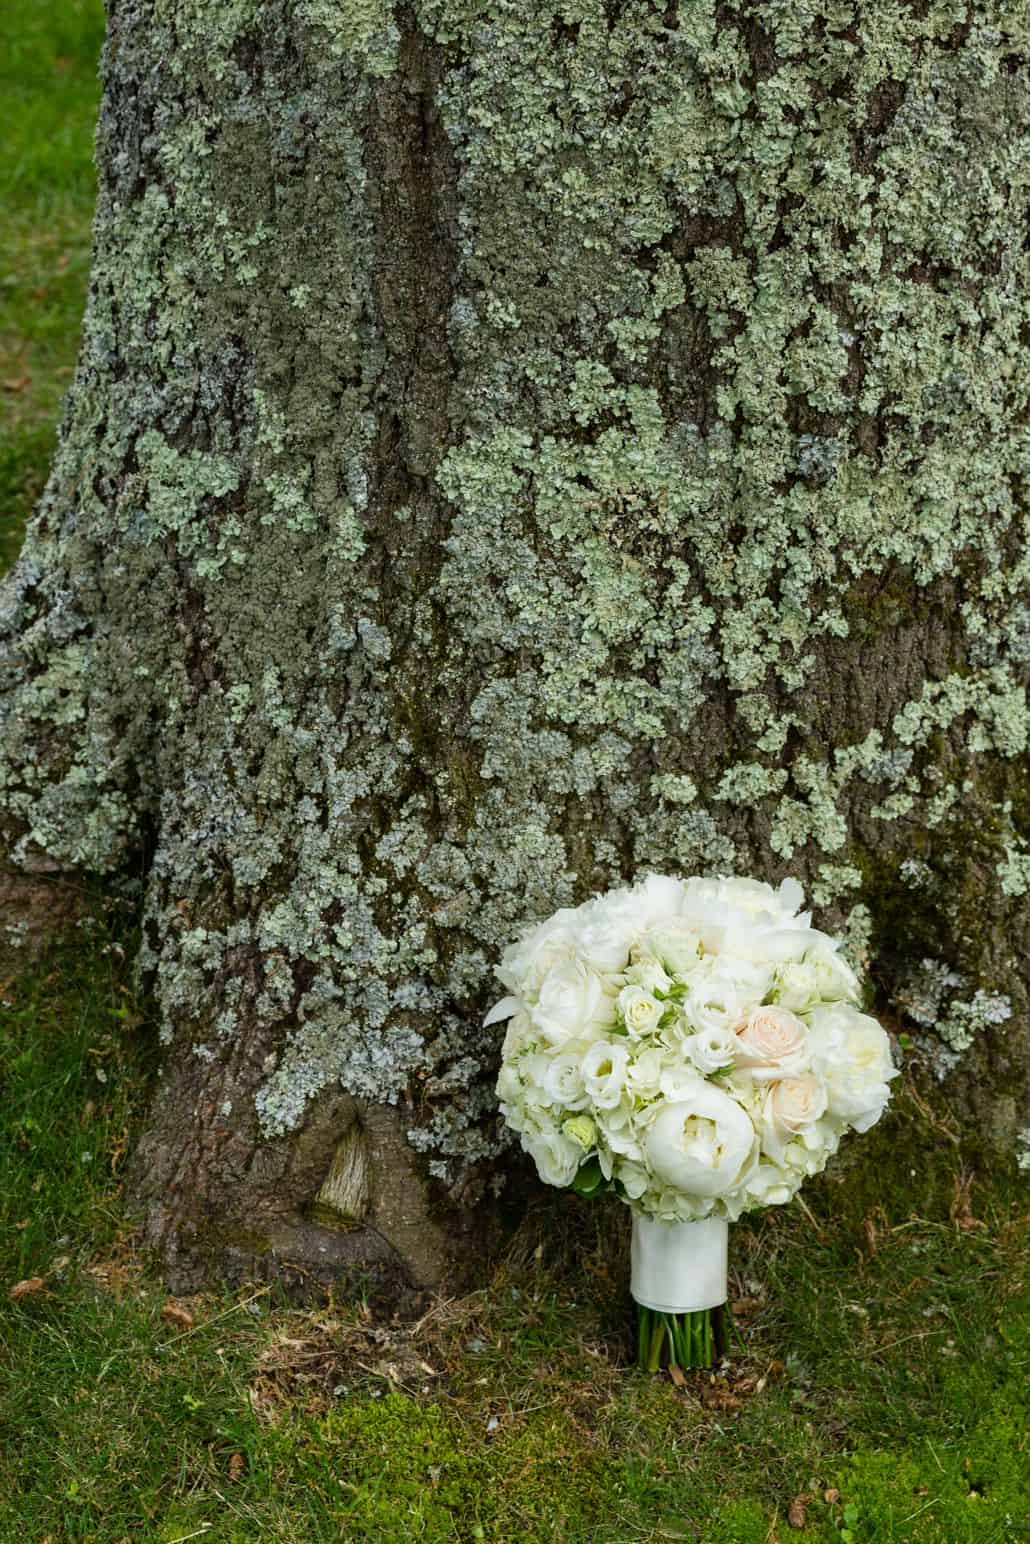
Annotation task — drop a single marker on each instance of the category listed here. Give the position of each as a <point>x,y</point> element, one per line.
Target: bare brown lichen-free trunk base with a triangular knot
<point>341,1200</point>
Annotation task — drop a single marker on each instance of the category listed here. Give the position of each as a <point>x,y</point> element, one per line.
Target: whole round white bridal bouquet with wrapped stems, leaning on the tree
<point>697,1048</point>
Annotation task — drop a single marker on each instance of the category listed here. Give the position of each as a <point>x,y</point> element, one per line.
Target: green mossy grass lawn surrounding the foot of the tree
<point>883,1393</point>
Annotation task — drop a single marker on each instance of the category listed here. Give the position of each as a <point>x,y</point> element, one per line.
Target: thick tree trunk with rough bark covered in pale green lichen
<point>518,445</point>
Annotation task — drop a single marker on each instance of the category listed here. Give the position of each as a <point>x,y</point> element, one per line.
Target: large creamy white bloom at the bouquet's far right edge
<point>853,1057</point>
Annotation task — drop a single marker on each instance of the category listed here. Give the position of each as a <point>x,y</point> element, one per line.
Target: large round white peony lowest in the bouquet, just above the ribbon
<point>702,1145</point>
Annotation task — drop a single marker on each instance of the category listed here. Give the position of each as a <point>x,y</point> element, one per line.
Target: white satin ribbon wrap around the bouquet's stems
<point>679,1268</point>
